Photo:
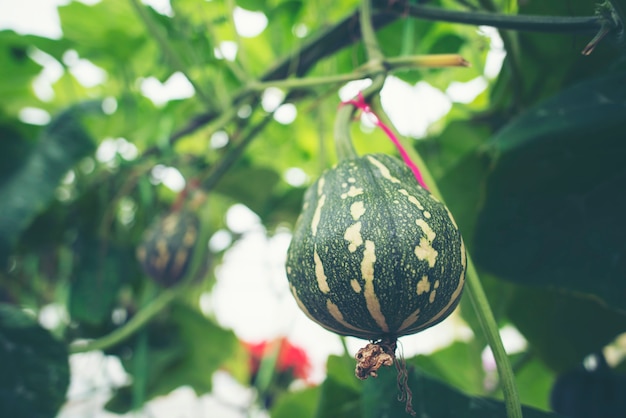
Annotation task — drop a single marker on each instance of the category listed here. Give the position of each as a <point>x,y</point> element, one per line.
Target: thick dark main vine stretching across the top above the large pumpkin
<point>345,33</point>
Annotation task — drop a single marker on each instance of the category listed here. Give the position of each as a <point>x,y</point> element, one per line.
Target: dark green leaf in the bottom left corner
<point>35,368</point>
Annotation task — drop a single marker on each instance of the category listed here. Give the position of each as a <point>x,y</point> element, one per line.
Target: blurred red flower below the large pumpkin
<point>291,359</point>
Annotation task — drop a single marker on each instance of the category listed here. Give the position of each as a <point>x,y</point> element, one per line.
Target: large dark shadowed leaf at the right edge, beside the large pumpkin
<point>554,210</point>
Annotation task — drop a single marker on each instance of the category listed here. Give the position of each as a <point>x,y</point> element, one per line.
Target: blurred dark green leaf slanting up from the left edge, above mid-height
<point>29,190</point>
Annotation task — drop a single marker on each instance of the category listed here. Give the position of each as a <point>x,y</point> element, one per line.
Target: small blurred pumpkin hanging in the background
<point>167,247</point>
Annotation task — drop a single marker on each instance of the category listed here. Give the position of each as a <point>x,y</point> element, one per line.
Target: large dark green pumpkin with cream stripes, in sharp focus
<point>374,255</point>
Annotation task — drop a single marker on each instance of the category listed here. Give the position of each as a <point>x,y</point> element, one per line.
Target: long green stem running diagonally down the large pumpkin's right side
<point>474,289</point>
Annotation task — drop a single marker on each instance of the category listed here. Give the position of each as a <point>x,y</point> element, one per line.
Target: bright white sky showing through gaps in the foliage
<point>251,295</point>
